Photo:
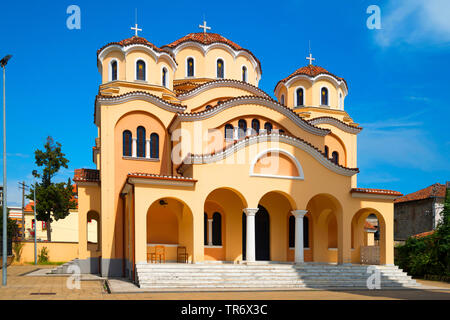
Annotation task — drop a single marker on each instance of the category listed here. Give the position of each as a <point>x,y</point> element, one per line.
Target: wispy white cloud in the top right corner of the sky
<point>414,22</point>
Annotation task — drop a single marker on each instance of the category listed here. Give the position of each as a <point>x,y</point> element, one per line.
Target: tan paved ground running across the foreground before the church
<point>22,287</point>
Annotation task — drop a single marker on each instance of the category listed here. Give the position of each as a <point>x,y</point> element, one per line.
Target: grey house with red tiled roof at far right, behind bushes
<point>418,212</point>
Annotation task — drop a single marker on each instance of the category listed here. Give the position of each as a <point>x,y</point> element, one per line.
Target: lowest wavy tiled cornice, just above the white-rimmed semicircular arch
<point>248,141</point>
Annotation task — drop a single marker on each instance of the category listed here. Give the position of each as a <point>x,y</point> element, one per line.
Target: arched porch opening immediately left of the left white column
<point>222,210</point>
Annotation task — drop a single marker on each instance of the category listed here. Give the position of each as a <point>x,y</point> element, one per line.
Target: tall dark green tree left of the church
<point>53,200</point>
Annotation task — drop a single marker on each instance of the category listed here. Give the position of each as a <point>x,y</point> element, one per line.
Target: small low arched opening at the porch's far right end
<point>368,237</point>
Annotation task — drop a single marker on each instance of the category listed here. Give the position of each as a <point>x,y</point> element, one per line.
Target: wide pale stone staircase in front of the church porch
<point>267,275</point>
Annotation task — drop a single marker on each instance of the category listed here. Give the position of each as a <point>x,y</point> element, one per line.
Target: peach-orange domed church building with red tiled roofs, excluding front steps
<point>191,153</point>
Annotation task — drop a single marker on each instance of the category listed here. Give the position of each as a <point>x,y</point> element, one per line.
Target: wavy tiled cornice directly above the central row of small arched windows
<point>245,100</point>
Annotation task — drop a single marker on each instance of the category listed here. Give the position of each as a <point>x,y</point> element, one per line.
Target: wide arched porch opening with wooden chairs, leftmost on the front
<point>170,225</point>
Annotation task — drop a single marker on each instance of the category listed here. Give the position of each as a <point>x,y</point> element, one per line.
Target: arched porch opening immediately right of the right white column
<point>325,212</point>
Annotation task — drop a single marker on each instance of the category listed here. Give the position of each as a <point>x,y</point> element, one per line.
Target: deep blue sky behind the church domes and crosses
<point>398,75</point>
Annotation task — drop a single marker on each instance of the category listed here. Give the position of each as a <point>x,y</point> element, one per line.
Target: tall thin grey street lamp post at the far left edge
<point>3,63</point>
